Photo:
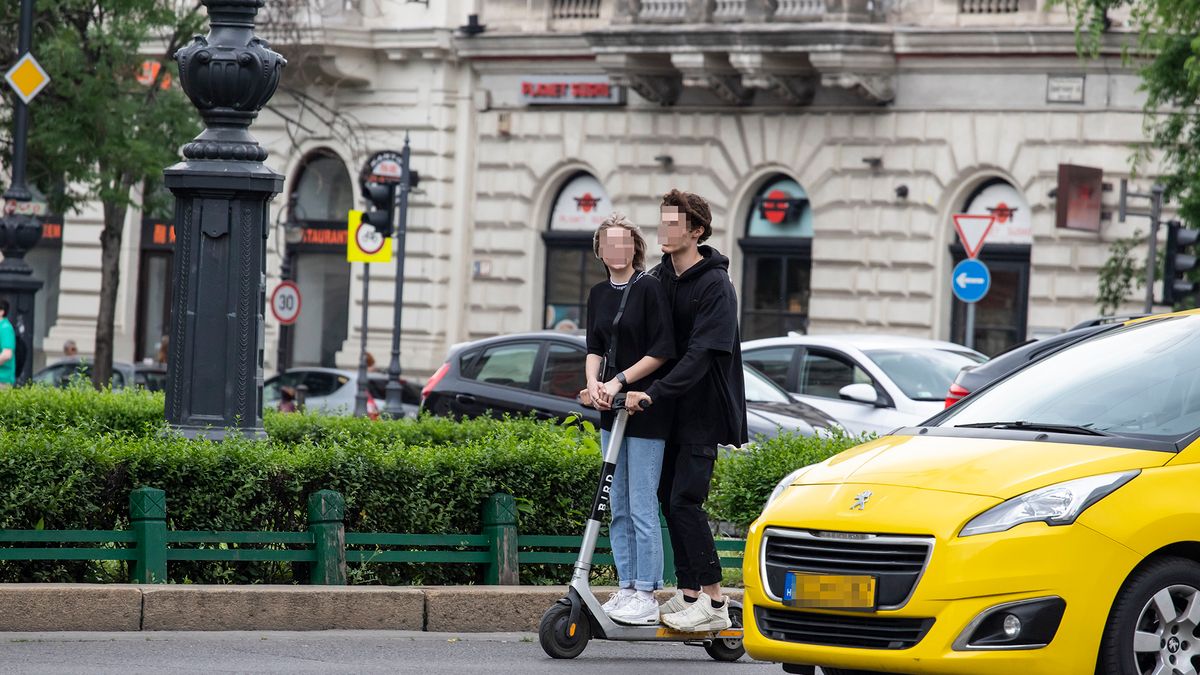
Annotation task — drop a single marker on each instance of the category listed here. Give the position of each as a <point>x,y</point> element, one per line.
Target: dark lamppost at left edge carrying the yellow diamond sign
<point>20,232</point>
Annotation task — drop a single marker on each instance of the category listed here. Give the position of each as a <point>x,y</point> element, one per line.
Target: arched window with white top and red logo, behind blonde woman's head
<point>572,267</point>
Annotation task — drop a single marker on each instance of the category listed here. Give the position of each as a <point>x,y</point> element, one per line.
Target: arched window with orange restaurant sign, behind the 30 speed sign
<point>322,196</point>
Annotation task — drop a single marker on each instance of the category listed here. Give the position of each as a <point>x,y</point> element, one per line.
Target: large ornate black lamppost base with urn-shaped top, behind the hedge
<point>223,190</point>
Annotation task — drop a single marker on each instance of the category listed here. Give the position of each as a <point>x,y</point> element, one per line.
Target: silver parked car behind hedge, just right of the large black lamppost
<point>333,391</point>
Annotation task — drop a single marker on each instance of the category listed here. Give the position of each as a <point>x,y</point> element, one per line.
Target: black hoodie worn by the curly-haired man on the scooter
<point>706,381</point>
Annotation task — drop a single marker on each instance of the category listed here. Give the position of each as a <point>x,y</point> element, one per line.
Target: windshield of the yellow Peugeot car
<point>1141,381</point>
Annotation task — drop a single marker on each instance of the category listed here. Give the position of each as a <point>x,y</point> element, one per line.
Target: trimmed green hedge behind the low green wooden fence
<point>69,461</point>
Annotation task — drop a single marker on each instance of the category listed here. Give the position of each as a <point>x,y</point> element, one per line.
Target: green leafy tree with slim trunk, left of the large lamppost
<point>107,122</point>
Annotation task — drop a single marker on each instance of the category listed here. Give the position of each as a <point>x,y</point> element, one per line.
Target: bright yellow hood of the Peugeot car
<point>989,468</point>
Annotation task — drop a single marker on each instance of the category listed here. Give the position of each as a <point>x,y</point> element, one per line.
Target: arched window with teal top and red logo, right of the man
<point>778,261</point>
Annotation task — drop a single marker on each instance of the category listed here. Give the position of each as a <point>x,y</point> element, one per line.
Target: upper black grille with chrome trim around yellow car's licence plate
<point>897,563</point>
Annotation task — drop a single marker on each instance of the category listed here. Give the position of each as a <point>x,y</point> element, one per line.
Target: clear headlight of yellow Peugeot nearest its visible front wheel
<point>1057,505</point>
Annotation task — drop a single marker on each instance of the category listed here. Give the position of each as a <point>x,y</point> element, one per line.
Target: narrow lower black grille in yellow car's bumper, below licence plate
<point>838,631</point>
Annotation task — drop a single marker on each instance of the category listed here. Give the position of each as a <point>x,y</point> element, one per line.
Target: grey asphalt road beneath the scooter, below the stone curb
<point>343,652</point>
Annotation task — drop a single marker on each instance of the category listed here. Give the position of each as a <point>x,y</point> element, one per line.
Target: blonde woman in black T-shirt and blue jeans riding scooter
<point>631,338</point>
